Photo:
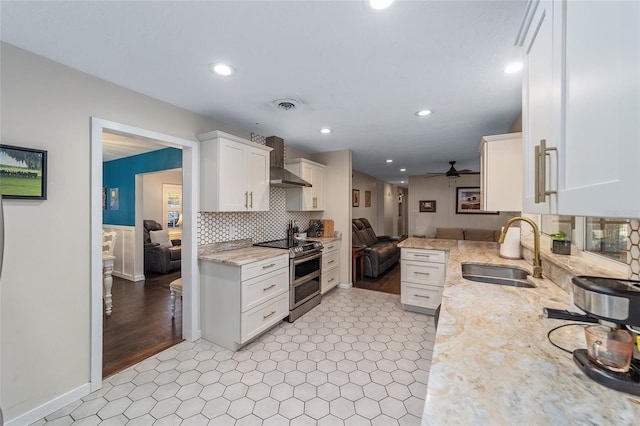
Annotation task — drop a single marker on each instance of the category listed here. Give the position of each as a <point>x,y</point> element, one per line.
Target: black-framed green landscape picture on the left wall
<point>23,173</point>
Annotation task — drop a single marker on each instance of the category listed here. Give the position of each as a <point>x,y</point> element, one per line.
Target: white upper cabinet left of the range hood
<point>234,174</point>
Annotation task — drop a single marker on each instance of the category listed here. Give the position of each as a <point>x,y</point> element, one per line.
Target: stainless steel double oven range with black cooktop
<point>305,264</point>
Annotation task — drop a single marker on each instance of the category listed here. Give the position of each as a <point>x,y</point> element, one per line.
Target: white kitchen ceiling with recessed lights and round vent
<point>363,73</point>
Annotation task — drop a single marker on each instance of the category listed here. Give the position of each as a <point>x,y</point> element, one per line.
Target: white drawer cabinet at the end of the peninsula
<point>422,278</point>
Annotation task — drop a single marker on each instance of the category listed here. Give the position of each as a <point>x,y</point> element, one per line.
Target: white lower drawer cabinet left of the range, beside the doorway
<point>239,303</point>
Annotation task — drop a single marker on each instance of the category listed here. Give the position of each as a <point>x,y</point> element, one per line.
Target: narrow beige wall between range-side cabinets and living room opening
<point>337,181</point>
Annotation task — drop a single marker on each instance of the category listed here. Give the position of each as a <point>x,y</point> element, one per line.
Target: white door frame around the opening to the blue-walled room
<point>190,278</point>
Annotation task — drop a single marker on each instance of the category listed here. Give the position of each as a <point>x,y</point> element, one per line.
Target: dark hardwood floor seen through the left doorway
<point>141,323</point>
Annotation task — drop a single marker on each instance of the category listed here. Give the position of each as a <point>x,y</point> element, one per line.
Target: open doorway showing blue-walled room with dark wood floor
<point>141,323</point>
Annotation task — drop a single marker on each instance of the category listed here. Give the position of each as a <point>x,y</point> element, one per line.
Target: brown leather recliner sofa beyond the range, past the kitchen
<point>380,253</point>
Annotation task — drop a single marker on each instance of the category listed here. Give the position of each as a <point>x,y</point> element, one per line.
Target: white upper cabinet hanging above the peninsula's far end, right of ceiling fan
<point>501,172</point>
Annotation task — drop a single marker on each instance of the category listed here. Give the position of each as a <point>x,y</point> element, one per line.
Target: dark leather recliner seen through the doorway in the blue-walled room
<point>161,255</point>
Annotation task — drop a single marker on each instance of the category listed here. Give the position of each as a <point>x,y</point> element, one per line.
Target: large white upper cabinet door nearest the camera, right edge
<point>600,146</point>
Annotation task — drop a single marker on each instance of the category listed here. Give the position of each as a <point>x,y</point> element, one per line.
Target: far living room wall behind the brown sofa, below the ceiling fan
<point>443,190</point>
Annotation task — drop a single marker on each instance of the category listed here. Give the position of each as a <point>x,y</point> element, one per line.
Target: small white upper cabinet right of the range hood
<point>306,199</point>
